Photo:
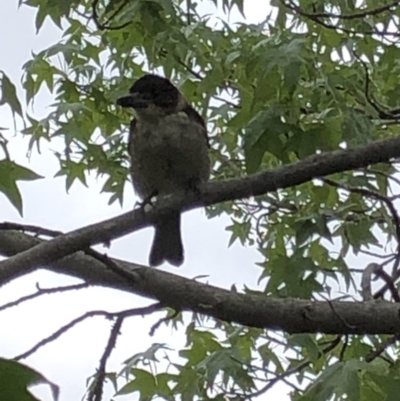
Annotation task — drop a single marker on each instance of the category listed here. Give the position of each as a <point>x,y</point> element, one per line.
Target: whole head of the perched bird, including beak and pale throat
<point>151,96</point>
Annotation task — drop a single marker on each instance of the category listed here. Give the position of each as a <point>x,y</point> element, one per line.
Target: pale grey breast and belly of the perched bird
<point>168,155</point>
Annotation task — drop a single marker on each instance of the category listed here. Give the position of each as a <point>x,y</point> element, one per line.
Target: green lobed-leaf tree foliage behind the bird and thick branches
<point>312,77</point>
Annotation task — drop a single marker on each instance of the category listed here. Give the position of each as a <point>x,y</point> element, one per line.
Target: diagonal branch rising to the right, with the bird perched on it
<point>290,175</point>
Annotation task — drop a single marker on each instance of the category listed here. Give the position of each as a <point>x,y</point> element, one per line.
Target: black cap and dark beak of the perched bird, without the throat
<point>151,90</point>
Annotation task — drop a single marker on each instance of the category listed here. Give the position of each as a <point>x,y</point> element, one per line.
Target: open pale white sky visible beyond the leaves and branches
<point>70,360</point>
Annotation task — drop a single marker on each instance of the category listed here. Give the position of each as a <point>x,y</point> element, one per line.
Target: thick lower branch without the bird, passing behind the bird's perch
<point>288,314</point>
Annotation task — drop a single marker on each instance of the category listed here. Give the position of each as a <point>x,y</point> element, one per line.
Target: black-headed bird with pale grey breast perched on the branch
<point>169,152</point>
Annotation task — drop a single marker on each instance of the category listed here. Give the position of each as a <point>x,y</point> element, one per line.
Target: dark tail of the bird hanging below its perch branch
<point>167,244</point>
